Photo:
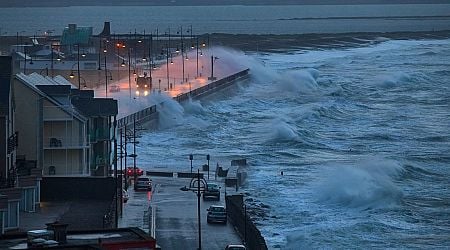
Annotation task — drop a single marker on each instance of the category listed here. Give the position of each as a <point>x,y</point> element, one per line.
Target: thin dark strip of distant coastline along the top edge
<point>68,3</point>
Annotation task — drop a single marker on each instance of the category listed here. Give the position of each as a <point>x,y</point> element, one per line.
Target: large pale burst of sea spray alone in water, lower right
<point>368,184</point>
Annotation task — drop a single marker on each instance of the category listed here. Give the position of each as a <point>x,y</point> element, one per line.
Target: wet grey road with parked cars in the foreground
<point>175,216</point>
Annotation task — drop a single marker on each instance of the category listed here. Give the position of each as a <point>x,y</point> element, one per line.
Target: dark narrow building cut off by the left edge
<point>19,178</point>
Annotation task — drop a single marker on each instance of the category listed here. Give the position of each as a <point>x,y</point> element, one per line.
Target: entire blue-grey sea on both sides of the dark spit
<point>360,131</point>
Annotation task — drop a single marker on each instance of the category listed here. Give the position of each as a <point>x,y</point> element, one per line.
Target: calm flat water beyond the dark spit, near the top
<point>296,19</point>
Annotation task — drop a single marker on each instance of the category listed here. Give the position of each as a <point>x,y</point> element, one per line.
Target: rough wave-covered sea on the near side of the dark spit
<point>361,135</point>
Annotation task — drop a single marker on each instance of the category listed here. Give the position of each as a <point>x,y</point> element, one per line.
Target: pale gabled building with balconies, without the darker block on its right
<point>56,133</point>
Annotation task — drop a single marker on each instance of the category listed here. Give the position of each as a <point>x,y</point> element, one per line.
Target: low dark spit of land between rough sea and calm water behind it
<point>277,43</point>
